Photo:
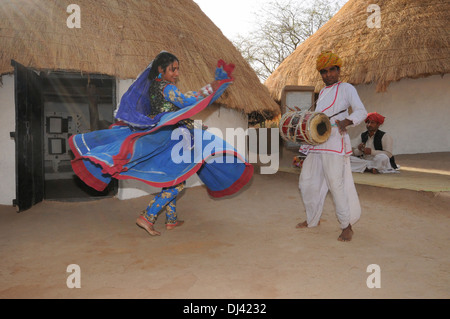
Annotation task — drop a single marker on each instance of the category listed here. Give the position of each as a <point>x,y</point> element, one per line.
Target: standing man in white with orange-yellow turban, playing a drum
<point>327,165</point>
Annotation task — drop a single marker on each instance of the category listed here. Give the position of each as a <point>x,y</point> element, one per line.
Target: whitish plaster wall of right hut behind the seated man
<point>417,113</point>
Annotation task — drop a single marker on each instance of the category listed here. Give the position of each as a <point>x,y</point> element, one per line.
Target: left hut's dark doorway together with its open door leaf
<point>50,107</point>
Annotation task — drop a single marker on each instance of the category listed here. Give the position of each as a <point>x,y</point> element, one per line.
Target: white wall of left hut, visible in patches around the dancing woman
<point>213,117</point>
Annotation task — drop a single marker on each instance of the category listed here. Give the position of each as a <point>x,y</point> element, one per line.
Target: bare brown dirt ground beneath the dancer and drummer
<point>244,246</point>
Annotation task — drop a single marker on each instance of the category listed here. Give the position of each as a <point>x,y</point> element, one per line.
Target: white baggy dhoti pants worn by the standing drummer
<point>322,172</point>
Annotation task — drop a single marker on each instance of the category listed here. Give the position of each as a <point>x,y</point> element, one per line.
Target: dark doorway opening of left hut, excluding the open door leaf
<point>73,104</point>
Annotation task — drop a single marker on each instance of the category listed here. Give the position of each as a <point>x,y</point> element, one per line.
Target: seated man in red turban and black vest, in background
<point>374,152</point>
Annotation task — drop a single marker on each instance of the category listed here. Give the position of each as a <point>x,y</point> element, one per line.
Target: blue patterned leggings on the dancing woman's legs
<point>166,199</point>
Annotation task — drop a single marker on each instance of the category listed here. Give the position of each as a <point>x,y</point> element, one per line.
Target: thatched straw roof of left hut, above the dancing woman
<point>120,37</point>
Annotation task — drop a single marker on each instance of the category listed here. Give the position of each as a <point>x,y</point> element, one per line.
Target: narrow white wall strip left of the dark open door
<point>7,144</point>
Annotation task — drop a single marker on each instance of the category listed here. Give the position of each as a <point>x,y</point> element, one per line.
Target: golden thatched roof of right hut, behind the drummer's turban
<point>413,42</point>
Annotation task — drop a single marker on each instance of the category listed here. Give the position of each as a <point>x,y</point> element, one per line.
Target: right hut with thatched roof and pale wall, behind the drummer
<point>400,68</point>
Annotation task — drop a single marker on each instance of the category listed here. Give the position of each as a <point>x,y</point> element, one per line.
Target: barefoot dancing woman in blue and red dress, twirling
<point>140,145</point>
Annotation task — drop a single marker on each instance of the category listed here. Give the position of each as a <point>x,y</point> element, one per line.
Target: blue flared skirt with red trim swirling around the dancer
<point>158,157</point>
